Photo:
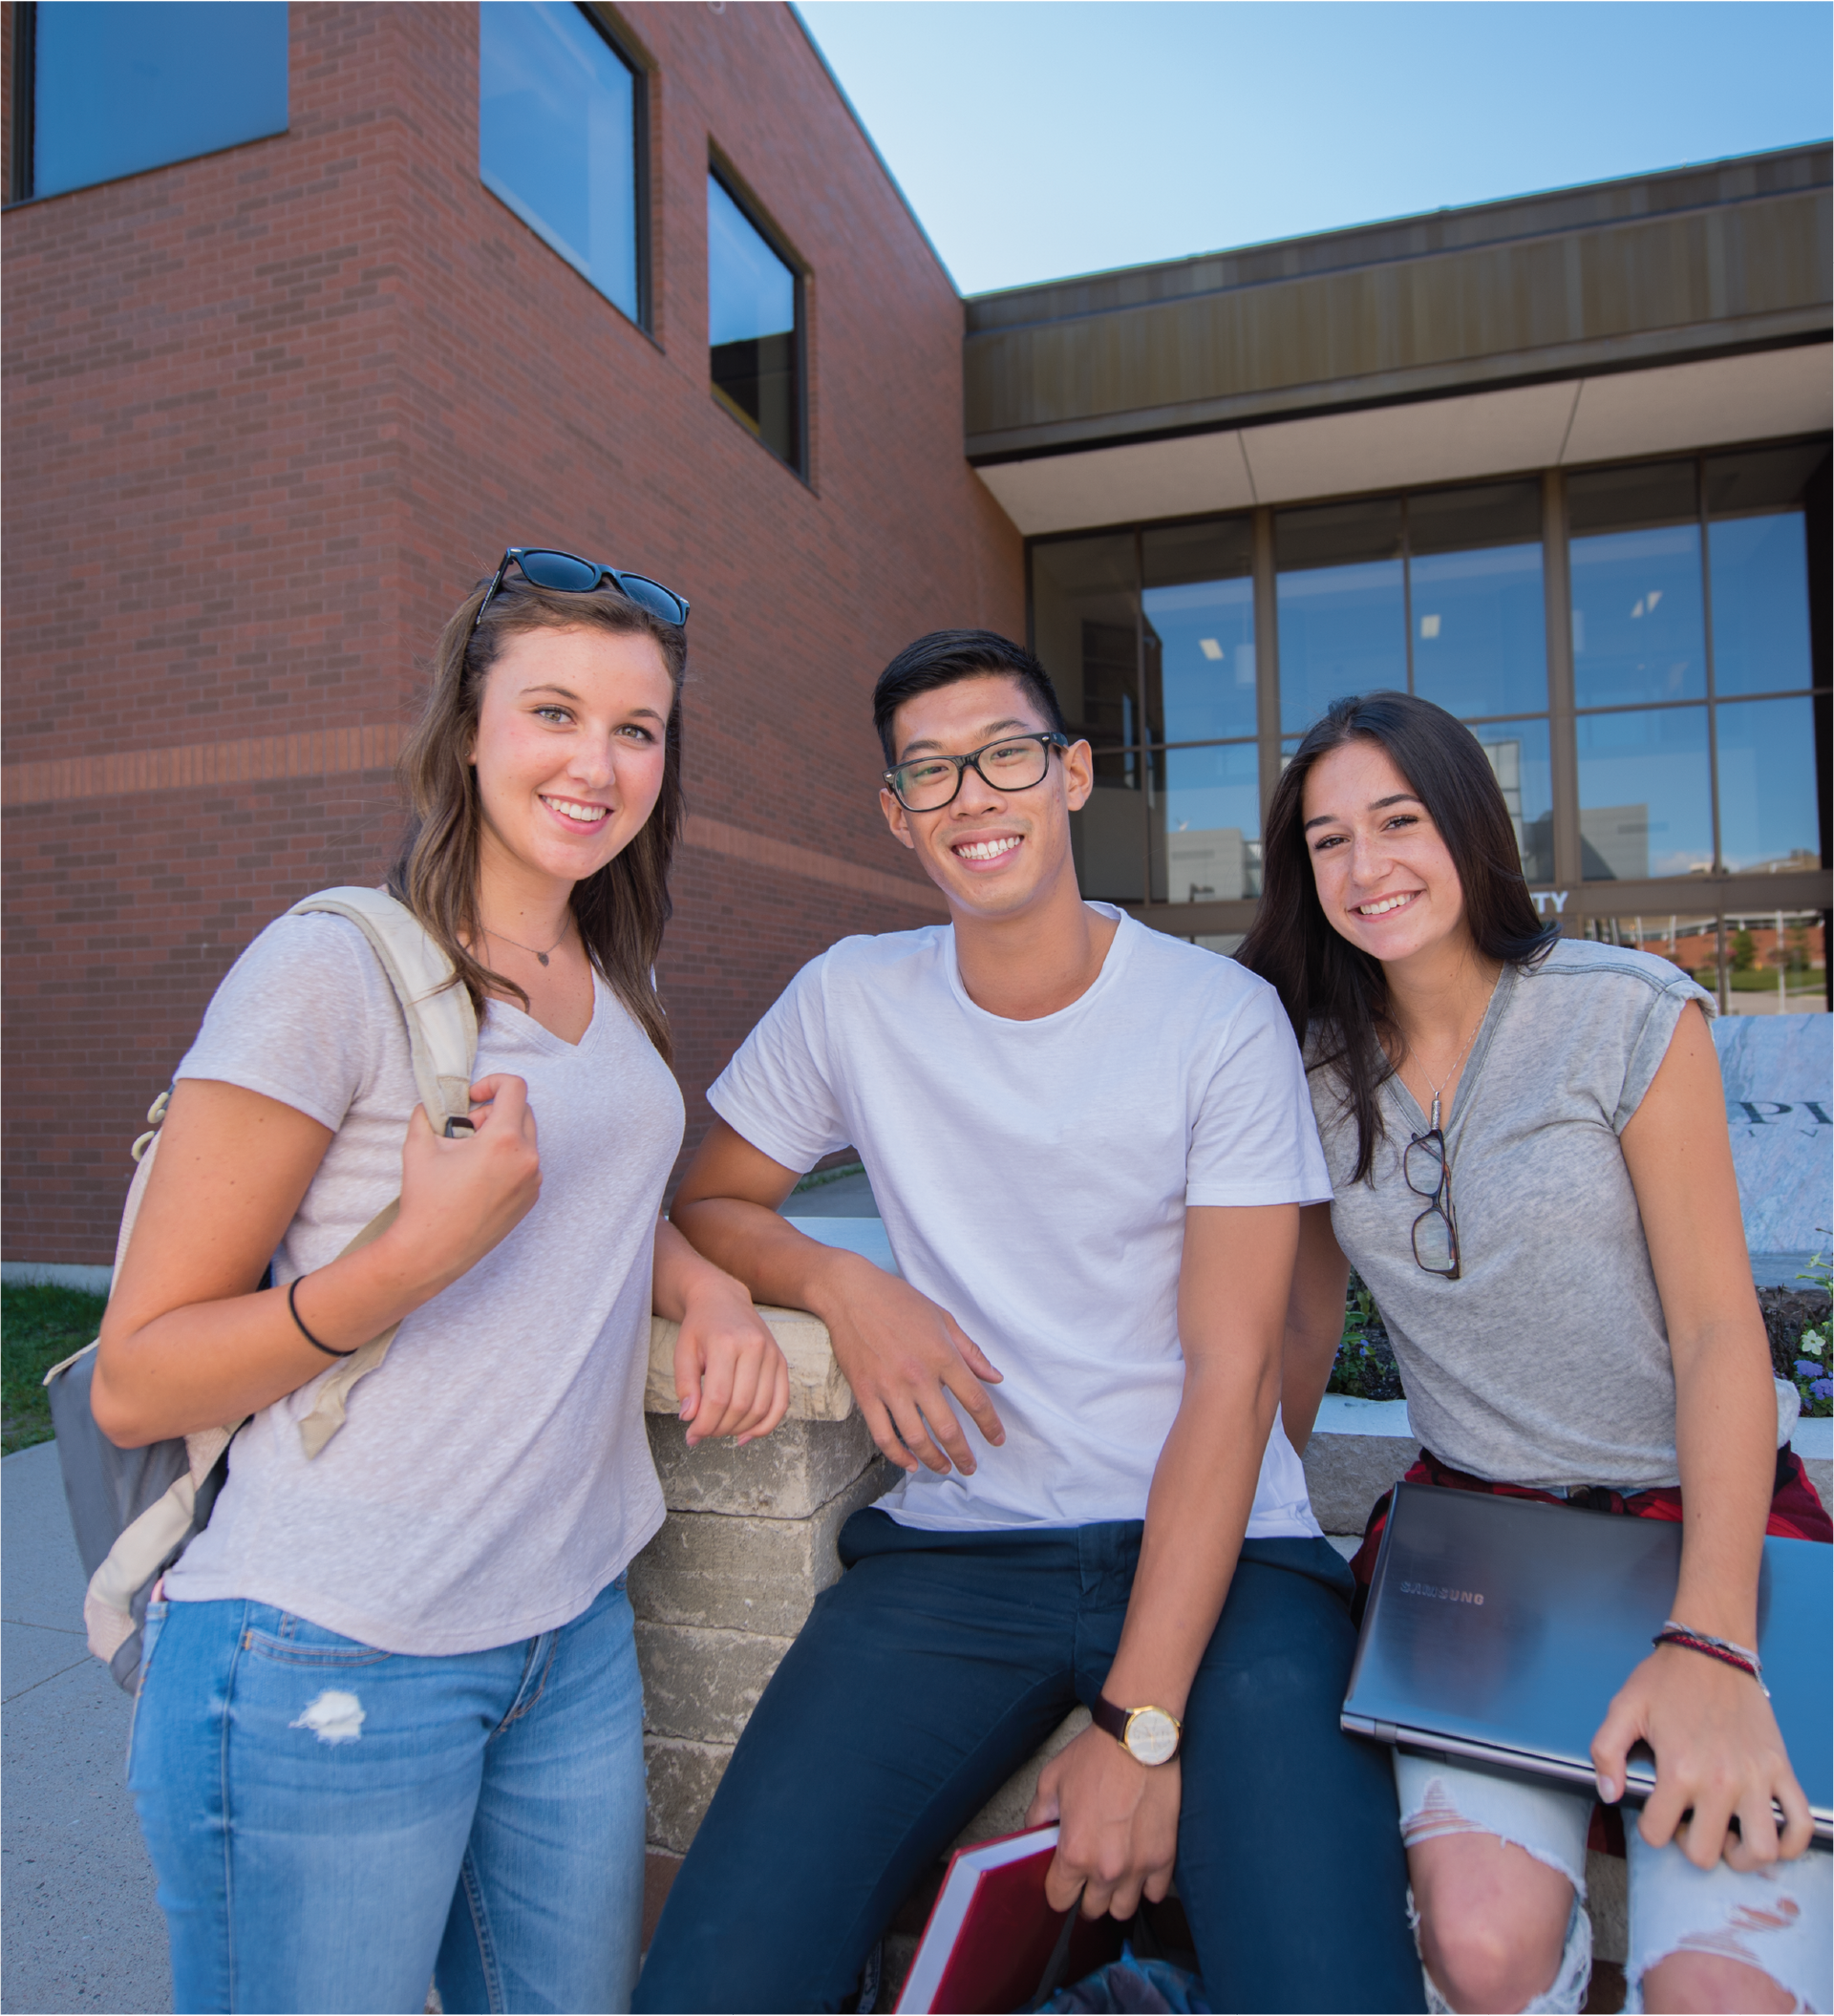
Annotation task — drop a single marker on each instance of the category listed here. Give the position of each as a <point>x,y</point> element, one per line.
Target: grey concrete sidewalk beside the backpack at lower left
<point>80,1928</point>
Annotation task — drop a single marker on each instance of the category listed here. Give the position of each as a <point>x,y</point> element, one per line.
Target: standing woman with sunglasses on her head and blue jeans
<point>390,1713</point>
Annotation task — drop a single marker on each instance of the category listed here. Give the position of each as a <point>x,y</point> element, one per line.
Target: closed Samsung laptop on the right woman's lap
<point>1500,1630</point>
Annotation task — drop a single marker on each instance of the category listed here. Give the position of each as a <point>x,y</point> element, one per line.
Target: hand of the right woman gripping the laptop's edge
<point>1720,1755</point>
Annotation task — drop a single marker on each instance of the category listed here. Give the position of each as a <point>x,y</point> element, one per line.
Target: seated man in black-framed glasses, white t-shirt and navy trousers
<point>1091,1144</point>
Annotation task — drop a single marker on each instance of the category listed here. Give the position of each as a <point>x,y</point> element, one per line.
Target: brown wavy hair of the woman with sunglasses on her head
<point>620,910</point>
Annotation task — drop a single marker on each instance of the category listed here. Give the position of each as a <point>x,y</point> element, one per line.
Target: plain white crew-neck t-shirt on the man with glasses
<point>1035,1180</point>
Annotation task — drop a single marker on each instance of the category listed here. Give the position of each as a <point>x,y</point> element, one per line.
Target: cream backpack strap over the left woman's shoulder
<point>442,1033</point>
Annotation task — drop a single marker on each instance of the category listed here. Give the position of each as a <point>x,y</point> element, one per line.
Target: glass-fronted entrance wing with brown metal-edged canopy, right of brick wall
<point>1557,465</point>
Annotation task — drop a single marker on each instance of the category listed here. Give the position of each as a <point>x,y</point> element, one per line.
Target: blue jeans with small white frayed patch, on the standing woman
<point>336,1825</point>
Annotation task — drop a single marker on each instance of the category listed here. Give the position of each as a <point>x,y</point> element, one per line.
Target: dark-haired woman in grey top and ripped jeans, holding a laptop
<point>1533,1174</point>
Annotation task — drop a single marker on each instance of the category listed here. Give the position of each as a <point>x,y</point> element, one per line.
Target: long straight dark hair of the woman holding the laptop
<point>1333,991</point>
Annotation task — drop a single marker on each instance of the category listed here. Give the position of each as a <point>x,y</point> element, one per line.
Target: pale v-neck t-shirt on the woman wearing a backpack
<point>495,1475</point>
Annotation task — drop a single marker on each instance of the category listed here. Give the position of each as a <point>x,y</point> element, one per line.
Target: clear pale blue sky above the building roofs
<point>1043,138</point>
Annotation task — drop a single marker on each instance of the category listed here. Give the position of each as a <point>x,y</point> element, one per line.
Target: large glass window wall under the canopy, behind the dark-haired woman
<point>1666,733</point>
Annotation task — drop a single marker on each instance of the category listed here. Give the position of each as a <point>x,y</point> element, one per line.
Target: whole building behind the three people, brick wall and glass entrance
<point>309,309</point>
